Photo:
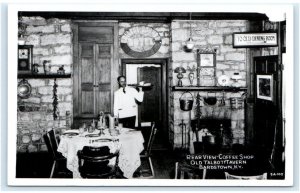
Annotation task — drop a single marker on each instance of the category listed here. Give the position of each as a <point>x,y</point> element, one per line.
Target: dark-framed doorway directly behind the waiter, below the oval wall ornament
<point>154,106</point>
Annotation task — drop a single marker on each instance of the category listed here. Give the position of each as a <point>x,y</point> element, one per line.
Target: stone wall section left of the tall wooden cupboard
<point>51,40</point>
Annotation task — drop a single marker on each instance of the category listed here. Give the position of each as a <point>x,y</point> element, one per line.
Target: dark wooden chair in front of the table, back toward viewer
<point>94,162</point>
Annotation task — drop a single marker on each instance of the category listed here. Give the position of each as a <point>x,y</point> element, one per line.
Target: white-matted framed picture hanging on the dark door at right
<point>264,87</point>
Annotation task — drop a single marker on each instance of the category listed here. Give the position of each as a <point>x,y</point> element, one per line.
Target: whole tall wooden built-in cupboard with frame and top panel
<point>95,70</point>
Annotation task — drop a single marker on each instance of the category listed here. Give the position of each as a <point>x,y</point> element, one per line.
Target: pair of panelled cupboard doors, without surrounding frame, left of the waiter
<point>95,78</point>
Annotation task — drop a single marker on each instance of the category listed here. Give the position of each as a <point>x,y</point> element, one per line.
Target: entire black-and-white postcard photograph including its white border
<point>110,97</point>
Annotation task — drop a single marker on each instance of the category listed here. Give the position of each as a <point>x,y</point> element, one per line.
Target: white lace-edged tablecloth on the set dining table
<point>130,146</point>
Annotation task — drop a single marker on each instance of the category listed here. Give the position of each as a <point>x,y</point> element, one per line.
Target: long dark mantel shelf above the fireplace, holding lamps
<point>208,88</point>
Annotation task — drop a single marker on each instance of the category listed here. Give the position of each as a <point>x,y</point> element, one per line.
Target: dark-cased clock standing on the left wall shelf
<point>24,59</point>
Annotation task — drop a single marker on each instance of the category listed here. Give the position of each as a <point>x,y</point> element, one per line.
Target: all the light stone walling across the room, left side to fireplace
<point>52,40</point>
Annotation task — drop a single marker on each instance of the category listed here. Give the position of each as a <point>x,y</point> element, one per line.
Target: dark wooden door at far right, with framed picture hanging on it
<point>267,113</point>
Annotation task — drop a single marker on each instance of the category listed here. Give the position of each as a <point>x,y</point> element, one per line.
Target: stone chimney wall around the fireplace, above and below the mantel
<point>209,34</point>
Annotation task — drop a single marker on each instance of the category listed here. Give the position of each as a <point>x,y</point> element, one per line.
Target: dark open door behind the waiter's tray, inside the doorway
<point>151,108</point>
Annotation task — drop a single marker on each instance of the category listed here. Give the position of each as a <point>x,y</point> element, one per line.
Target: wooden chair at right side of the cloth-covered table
<point>148,172</point>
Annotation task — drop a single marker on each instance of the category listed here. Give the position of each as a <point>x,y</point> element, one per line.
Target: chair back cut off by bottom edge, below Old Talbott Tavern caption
<point>186,171</point>
